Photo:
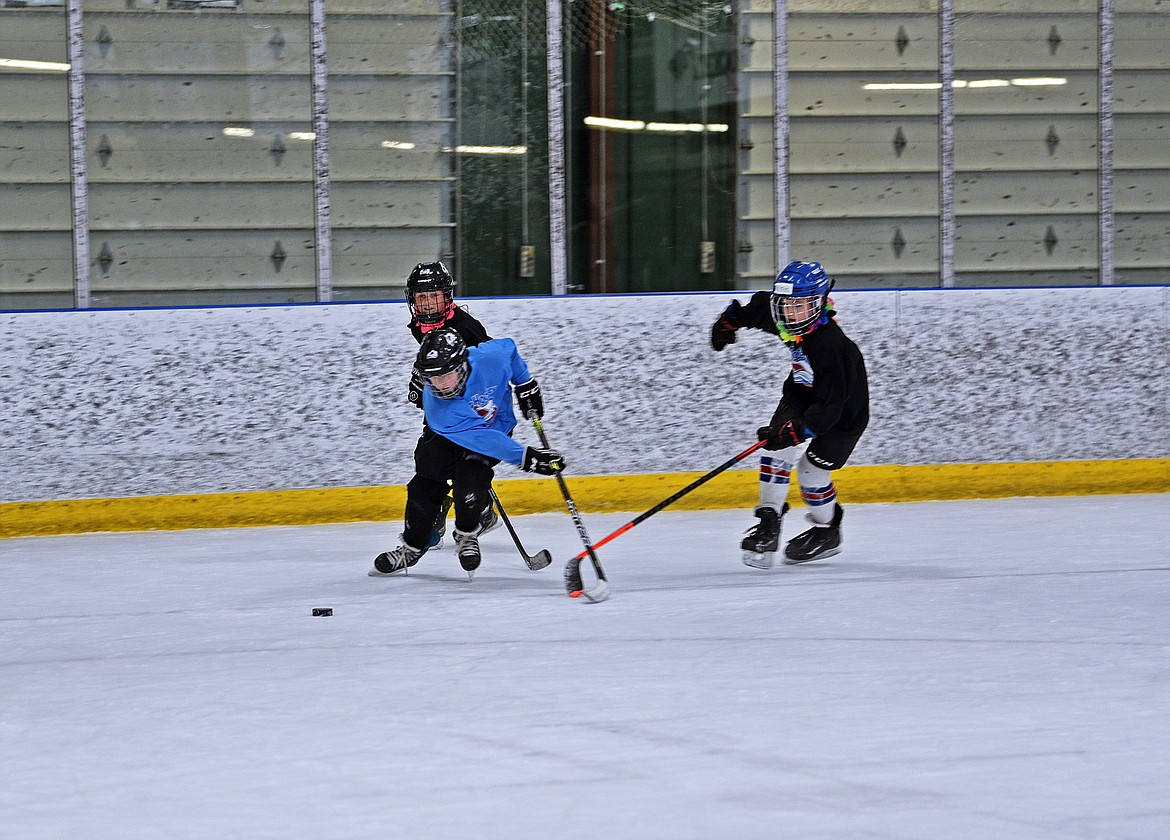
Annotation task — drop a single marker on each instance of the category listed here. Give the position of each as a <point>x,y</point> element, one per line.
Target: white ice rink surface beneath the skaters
<point>993,671</point>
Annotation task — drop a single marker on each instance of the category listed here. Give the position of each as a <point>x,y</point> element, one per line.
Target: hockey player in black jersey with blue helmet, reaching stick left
<point>825,402</point>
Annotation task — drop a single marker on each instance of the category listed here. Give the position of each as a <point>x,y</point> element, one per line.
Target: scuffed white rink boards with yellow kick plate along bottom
<point>181,418</point>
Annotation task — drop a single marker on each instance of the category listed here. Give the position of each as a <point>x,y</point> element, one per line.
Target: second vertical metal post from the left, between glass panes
<point>322,208</point>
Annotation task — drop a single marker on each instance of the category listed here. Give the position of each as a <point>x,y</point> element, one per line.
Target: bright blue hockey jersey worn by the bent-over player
<point>483,418</point>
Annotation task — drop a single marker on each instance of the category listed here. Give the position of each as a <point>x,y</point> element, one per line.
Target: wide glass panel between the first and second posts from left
<point>201,159</point>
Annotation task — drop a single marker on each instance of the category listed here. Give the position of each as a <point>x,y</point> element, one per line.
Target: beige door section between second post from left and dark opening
<point>391,142</point>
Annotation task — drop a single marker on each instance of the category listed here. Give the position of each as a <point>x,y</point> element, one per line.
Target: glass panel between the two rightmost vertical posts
<point>1026,146</point>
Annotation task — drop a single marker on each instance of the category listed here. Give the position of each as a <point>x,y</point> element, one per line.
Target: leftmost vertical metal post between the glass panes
<point>78,166</point>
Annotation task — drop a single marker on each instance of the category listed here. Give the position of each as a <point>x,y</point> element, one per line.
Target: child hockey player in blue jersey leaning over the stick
<point>467,398</point>
